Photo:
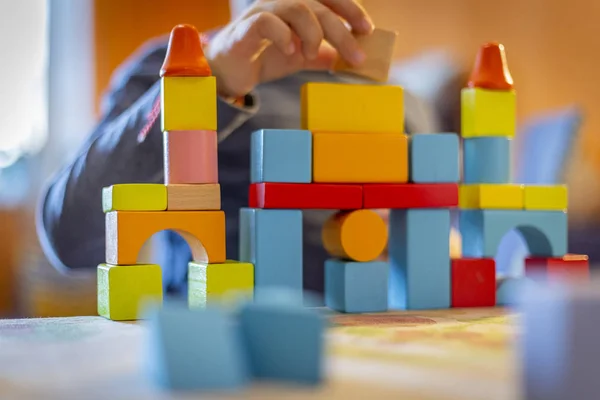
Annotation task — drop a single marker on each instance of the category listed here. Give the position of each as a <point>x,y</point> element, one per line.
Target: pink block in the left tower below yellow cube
<point>191,157</point>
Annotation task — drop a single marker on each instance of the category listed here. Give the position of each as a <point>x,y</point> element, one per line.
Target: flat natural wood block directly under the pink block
<point>194,197</point>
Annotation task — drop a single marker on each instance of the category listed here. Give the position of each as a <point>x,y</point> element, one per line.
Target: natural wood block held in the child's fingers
<point>378,47</point>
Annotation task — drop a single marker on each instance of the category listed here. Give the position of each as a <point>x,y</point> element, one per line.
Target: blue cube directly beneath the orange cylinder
<point>356,287</point>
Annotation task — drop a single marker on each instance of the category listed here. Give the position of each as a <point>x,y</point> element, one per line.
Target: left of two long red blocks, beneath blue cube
<point>320,196</point>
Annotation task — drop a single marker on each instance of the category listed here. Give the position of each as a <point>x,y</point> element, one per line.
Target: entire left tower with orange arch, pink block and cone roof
<point>188,202</point>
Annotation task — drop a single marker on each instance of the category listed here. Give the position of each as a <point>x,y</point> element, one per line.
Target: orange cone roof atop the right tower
<point>491,69</point>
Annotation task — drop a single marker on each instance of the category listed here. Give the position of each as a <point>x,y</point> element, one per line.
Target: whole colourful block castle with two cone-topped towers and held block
<point>351,155</point>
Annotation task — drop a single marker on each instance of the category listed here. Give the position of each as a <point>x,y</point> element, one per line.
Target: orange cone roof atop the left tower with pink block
<point>185,56</point>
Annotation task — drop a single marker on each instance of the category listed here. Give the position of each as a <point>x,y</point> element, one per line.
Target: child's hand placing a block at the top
<point>276,38</point>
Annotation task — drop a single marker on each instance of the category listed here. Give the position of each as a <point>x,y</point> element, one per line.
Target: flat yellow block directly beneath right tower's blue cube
<point>495,196</point>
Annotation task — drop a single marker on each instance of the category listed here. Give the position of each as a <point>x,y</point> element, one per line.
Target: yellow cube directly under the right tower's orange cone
<point>488,113</point>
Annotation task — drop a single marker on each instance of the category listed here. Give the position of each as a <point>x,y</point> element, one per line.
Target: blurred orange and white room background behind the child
<point>58,56</point>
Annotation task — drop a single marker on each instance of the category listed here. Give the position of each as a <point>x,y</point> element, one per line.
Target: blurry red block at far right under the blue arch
<point>569,268</point>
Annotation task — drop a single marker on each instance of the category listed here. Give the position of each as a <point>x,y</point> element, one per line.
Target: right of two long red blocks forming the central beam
<point>410,195</point>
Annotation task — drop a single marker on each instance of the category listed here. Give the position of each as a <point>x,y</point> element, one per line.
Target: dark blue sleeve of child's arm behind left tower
<point>70,220</point>
